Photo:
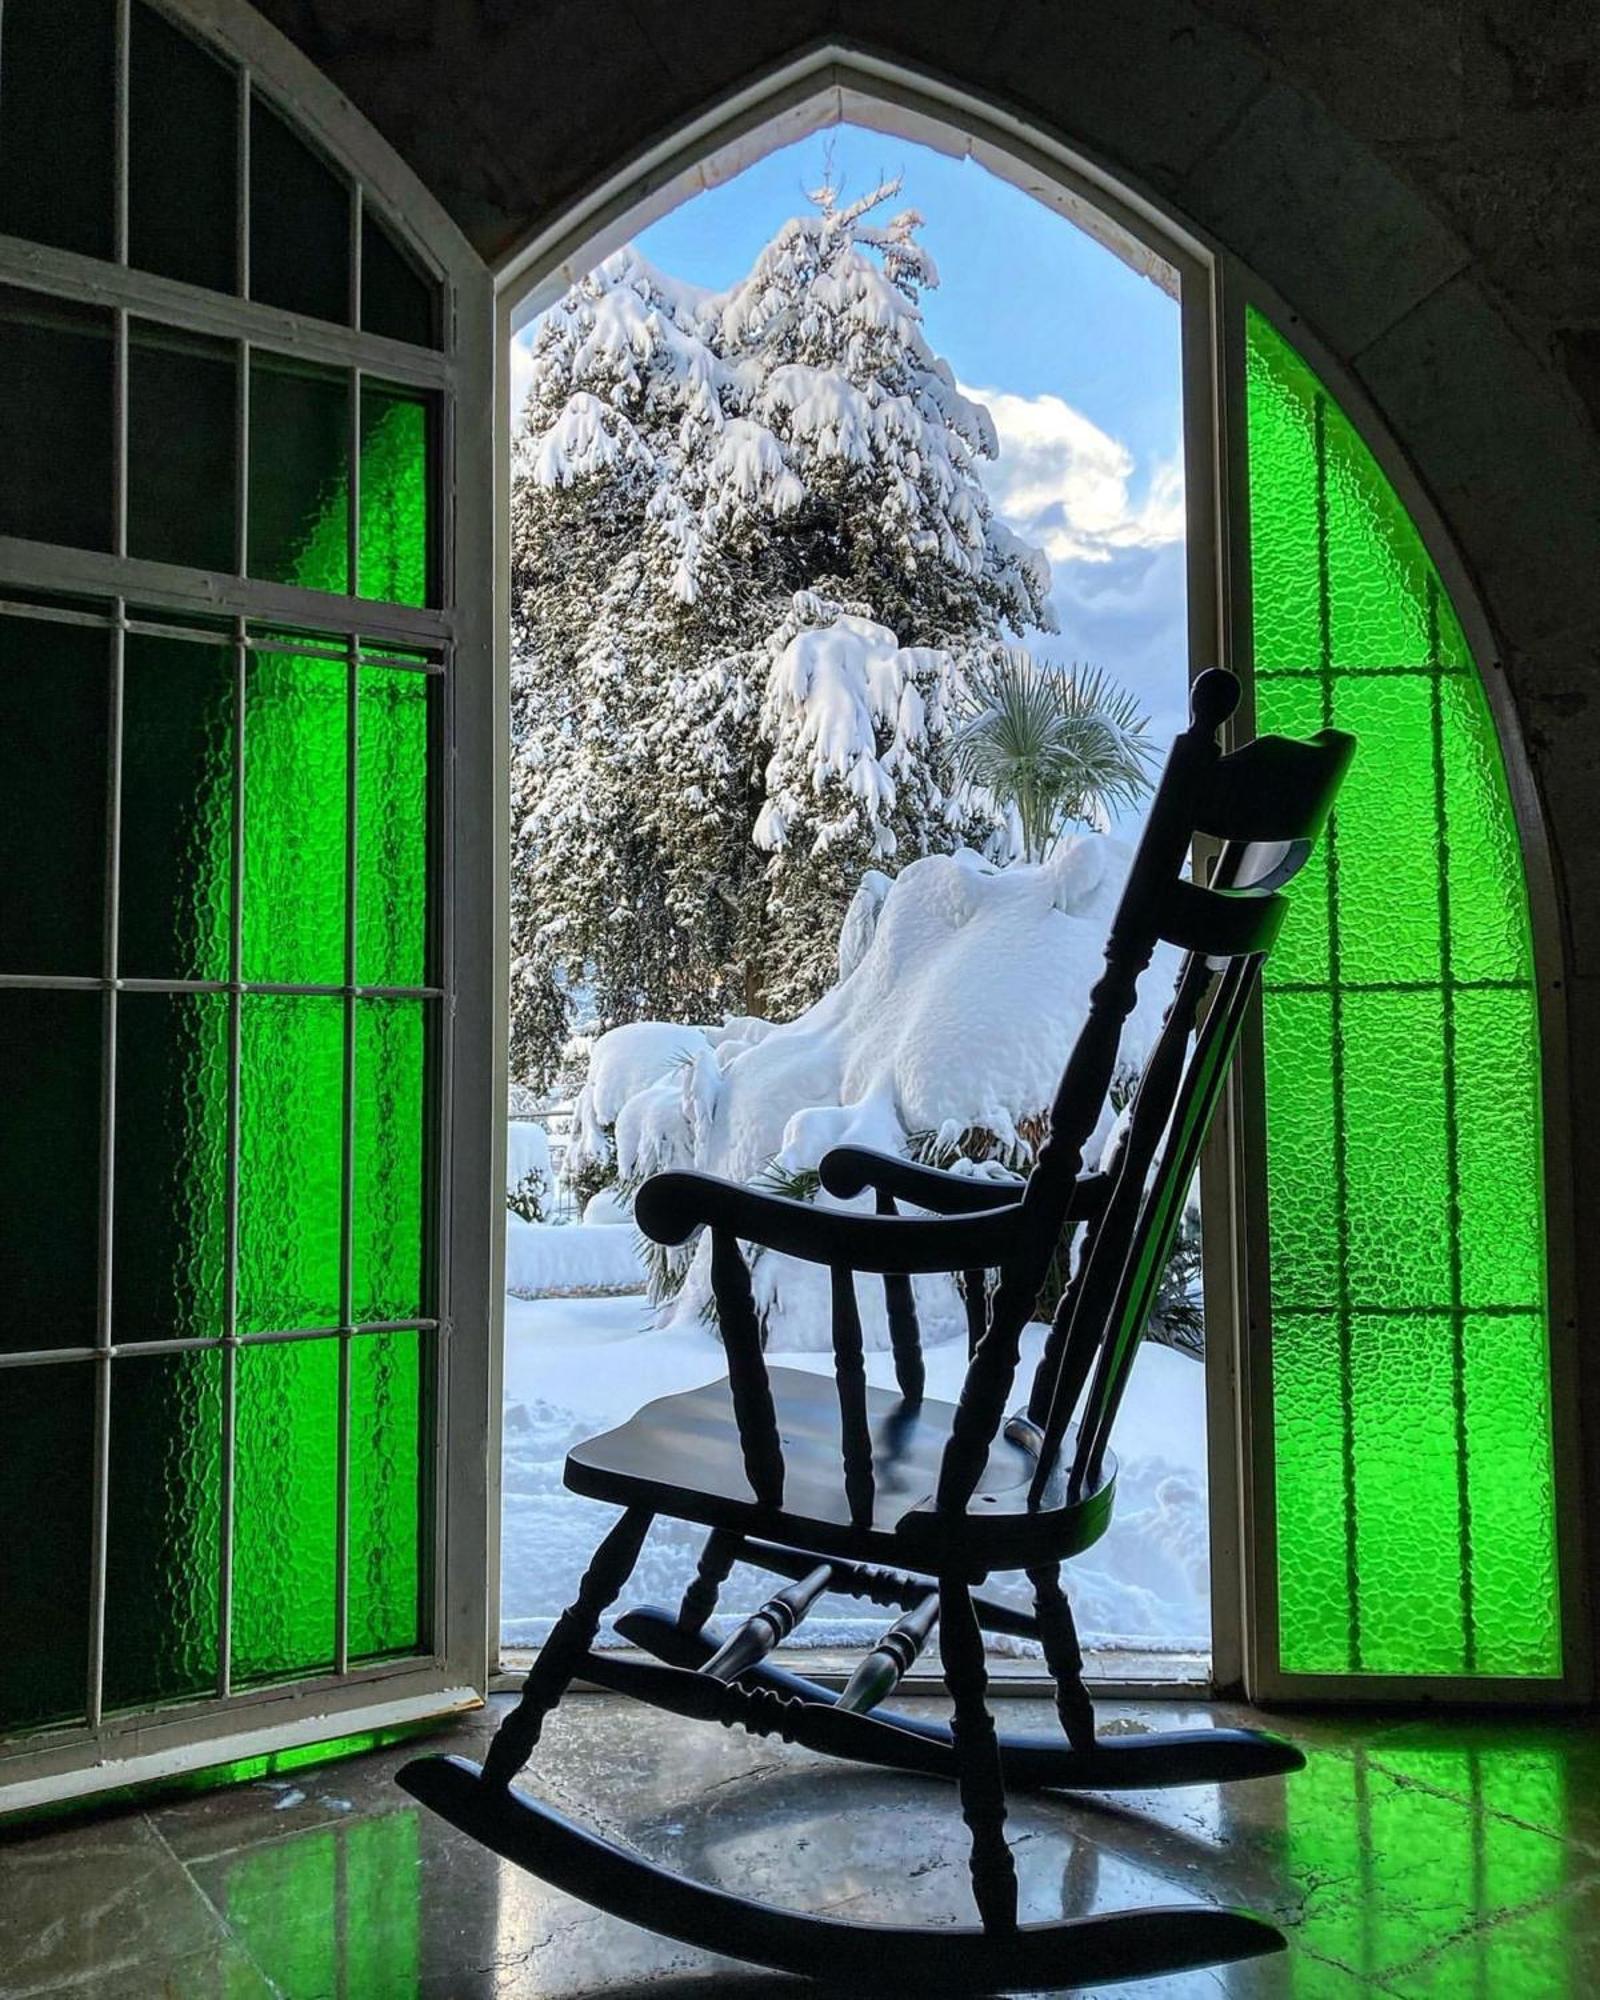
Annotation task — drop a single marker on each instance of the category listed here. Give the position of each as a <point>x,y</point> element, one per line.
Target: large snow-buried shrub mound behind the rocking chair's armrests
<point>945,1041</point>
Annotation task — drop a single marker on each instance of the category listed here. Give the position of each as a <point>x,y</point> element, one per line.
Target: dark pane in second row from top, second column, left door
<point>181,449</point>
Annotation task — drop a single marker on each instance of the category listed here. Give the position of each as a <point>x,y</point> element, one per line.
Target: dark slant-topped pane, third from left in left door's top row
<point>299,223</point>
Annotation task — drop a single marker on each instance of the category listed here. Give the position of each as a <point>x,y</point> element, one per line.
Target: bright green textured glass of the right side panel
<point>1405,1167</point>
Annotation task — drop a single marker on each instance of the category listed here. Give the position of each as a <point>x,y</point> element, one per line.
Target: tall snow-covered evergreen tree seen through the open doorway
<point>685,467</point>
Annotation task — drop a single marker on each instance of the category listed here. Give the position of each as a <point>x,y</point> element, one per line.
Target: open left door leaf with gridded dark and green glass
<point>235,341</point>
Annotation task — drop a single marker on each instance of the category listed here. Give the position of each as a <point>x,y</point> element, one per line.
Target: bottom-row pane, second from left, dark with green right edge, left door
<point>165,1529</point>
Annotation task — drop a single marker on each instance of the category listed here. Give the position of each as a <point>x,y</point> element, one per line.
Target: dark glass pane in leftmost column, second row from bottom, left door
<point>49,1171</point>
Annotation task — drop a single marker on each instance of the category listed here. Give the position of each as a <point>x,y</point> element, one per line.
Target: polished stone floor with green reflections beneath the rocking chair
<point>1407,1859</point>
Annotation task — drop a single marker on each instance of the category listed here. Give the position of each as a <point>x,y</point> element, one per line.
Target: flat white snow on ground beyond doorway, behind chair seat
<point>577,1367</point>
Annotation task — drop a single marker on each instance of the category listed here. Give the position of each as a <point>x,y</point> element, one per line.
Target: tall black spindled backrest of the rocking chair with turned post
<point>1267,805</point>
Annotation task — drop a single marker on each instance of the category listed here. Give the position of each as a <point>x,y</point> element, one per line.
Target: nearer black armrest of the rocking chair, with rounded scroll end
<point>671,1207</point>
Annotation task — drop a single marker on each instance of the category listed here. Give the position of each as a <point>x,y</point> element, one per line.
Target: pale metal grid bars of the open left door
<point>125,597</point>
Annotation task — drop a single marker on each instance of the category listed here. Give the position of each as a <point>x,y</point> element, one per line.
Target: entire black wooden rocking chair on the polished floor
<point>913,1503</point>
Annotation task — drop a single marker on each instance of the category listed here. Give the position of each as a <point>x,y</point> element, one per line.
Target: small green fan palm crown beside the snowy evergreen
<point>1055,747</point>
